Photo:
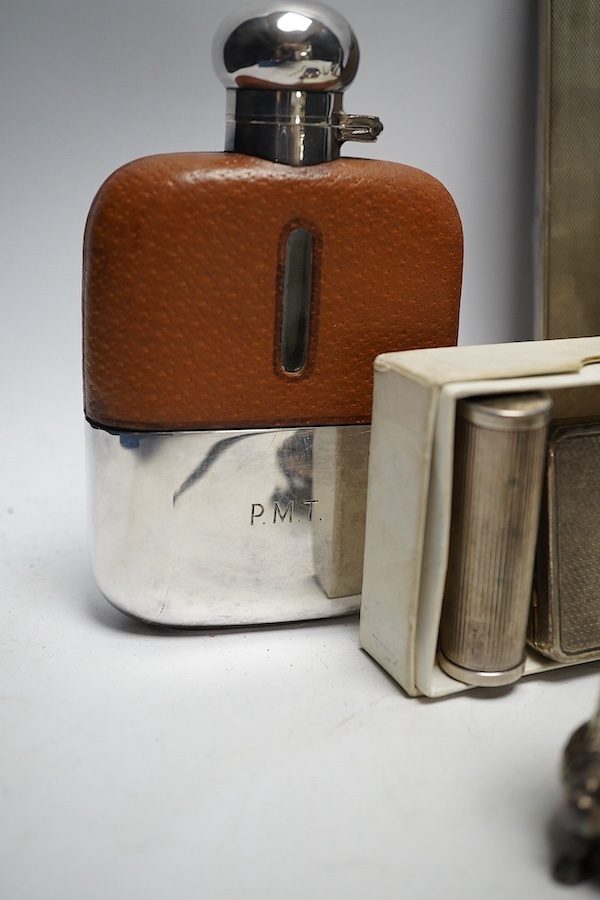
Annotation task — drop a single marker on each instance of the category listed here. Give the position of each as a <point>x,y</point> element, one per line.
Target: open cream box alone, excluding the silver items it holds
<point>410,484</point>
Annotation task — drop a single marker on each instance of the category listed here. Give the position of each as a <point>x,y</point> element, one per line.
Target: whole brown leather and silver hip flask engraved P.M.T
<point>233,305</point>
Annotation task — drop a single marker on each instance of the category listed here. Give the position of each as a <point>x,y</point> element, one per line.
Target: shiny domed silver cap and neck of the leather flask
<point>285,67</point>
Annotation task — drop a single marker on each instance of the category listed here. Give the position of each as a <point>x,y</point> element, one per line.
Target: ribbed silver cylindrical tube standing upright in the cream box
<point>498,470</point>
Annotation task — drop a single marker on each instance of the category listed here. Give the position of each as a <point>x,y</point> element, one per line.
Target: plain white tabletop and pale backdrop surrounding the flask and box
<point>278,762</point>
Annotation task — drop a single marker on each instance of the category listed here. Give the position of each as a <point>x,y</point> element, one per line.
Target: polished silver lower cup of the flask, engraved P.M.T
<point>229,527</point>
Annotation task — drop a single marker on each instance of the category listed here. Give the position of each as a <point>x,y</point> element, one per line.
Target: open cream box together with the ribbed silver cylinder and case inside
<point>482,558</point>
